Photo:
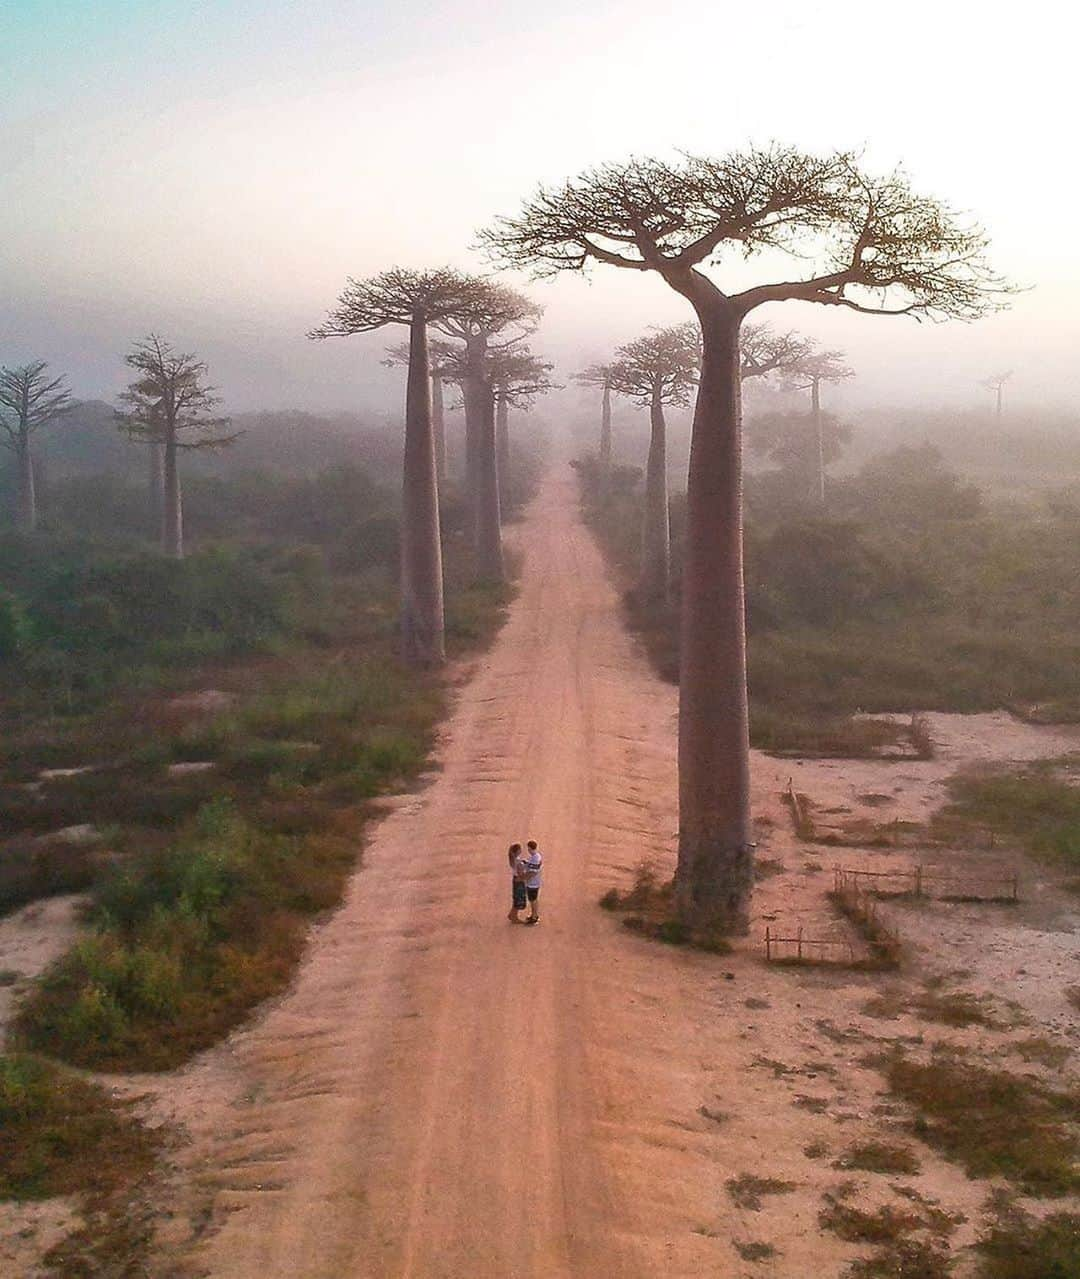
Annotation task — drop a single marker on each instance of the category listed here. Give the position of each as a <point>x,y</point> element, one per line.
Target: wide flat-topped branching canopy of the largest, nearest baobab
<point>876,245</point>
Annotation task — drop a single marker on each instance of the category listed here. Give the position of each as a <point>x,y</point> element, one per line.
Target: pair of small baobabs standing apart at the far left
<point>168,407</point>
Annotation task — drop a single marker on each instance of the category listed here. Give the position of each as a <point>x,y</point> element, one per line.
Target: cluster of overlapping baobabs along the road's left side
<point>484,327</point>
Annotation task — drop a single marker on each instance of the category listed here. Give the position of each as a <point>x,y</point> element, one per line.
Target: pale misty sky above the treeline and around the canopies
<point>214,171</point>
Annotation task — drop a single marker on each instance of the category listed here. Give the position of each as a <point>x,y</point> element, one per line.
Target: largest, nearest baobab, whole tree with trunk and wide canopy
<point>861,242</point>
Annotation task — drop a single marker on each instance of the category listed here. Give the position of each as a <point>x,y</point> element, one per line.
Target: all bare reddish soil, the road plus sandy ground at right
<point>443,1094</point>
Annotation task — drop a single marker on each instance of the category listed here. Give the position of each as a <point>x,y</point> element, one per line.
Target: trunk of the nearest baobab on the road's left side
<point>423,640</point>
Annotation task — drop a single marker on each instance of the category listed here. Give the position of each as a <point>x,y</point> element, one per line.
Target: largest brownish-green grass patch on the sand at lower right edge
<point>991,1122</point>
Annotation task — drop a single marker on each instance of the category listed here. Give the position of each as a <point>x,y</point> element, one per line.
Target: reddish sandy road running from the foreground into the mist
<point>429,1099</point>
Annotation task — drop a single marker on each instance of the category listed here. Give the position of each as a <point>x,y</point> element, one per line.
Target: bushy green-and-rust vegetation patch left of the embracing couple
<point>184,945</point>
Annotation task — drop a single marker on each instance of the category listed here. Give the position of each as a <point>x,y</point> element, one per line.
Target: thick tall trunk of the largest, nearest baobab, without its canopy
<point>716,863</point>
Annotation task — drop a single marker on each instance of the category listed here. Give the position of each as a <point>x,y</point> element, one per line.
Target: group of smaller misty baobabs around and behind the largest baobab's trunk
<point>662,369</point>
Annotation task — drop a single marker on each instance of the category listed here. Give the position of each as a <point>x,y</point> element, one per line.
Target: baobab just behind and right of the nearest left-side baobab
<point>496,320</point>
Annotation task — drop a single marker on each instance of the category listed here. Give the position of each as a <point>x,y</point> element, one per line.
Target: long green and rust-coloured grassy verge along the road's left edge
<point>203,909</point>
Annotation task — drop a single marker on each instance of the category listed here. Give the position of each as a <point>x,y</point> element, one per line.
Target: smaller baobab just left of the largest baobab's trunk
<point>653,372</point>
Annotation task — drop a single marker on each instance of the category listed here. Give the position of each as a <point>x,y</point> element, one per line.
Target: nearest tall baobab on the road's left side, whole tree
<point>415,300</point>
